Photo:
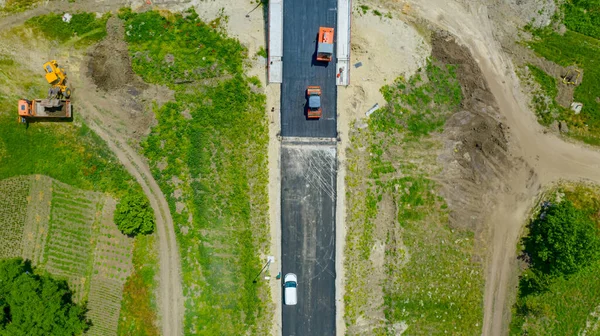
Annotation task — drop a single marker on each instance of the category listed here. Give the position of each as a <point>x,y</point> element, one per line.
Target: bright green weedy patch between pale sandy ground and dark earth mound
<point>410,104</point>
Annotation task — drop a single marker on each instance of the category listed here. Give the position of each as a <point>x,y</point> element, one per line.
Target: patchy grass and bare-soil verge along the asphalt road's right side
<point>430,284</point>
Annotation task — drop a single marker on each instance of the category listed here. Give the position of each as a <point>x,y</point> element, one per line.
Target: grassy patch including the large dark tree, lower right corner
<point>561,253</point>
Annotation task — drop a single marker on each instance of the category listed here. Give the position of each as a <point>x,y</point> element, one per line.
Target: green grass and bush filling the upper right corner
<point>578,46</point>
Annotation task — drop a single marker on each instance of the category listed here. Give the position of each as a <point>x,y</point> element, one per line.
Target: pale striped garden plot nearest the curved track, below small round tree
<point>112,266</point>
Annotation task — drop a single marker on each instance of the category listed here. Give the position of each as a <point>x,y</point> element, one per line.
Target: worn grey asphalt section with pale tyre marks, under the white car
<point>308,185</point>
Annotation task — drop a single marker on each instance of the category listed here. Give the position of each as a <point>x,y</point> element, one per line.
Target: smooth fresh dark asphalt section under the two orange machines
<point>301,22</point>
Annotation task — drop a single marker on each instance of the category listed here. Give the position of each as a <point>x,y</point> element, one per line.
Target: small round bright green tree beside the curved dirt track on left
<point>134,215</point>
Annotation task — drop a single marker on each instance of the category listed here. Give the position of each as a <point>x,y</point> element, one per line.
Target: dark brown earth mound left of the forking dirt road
<point>477,158</point>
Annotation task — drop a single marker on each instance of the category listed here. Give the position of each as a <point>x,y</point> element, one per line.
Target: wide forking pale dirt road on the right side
<point>550,157</point>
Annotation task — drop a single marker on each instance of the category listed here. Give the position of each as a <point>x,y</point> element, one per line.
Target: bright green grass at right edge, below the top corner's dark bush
<point>573,48</point>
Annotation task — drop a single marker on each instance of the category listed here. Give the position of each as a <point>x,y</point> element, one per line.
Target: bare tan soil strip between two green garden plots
<point>36,222</point>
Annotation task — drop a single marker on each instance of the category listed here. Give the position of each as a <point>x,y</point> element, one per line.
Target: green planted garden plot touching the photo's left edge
<point>13,204</point>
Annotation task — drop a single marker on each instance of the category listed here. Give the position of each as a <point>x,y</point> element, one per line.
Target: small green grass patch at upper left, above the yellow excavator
<point>83,26</point>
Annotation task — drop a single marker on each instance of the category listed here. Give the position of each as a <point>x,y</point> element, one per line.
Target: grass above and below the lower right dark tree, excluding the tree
<point>565,305</point>
